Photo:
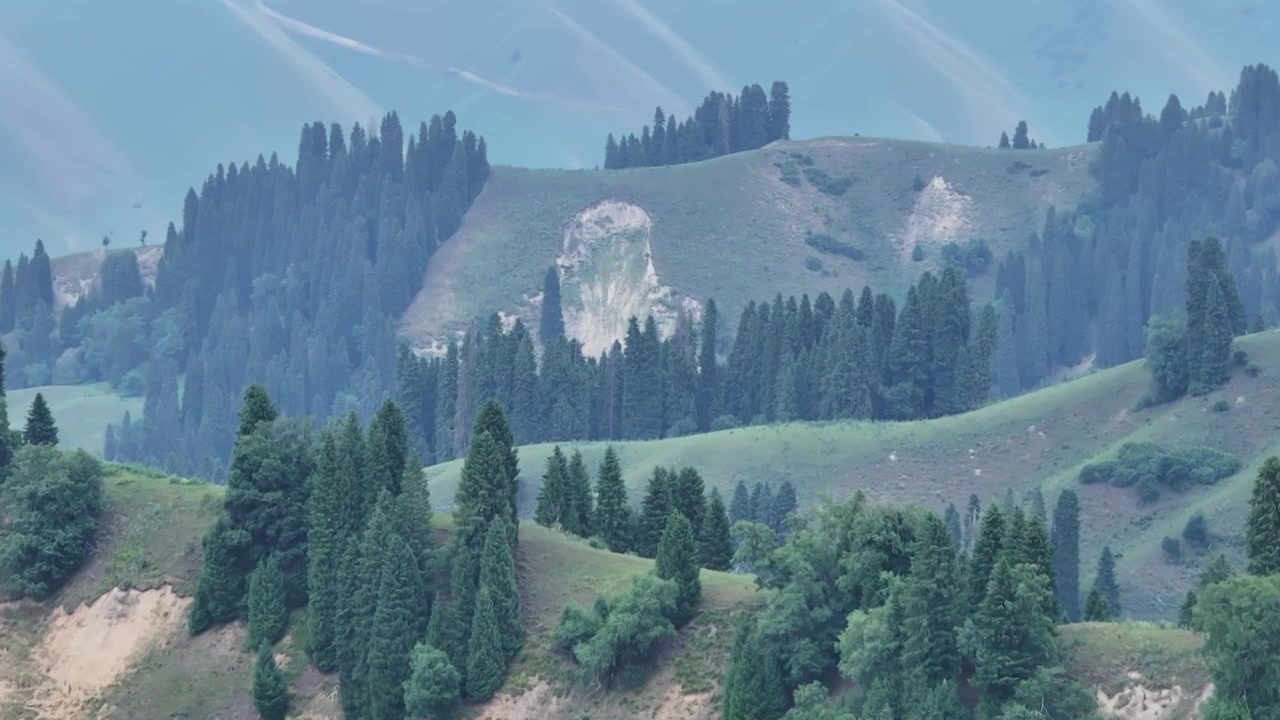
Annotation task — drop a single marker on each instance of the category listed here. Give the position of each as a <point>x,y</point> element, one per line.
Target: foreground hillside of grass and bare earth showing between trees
<point>130,603</point>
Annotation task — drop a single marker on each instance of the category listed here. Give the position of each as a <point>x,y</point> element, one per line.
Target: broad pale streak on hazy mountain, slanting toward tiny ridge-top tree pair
<point>991,99</point>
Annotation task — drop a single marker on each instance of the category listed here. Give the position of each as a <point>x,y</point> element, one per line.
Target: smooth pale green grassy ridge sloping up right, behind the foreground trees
<point>1041,439</point>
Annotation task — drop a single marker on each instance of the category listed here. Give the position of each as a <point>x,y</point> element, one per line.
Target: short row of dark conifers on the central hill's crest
<point>723,125</point>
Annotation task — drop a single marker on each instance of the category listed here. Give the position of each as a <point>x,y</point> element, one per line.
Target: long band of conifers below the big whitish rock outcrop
<point>858,358</point>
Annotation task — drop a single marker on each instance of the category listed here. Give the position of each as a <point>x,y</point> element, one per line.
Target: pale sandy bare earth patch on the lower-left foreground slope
<point>89,649</point>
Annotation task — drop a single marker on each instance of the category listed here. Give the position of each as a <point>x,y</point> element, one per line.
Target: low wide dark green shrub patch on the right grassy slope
<point>1150,468</point>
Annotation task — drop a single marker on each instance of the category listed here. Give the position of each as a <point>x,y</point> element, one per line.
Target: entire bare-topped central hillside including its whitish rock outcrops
<point>734,229</point>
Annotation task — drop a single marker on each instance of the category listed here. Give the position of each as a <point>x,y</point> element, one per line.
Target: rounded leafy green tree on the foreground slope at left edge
<point>52,504</point>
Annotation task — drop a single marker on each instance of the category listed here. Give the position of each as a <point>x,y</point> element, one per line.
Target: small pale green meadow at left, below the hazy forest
<point>83,412</point>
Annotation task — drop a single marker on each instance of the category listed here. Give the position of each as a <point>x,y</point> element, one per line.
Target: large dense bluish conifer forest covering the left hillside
<point>289,277</point>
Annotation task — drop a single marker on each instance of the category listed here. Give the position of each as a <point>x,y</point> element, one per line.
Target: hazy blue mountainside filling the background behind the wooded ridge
<point>112,110</point>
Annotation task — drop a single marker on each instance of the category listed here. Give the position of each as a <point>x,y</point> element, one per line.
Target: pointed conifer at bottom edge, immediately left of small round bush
<point>401,601</point>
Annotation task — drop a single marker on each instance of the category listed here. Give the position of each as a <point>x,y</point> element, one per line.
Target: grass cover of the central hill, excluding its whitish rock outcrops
<point>732,230</point>
